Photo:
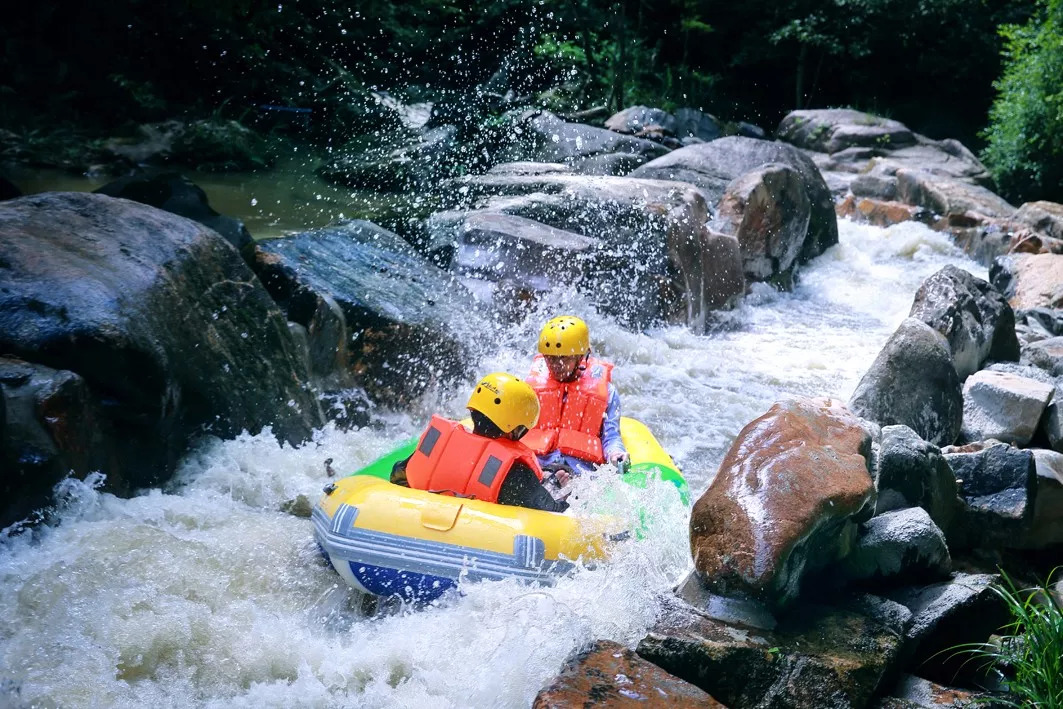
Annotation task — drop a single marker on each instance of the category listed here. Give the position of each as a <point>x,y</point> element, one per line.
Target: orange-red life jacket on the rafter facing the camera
<point>570,413</point>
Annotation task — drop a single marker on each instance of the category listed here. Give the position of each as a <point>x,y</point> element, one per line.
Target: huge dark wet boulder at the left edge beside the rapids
<point>171,331</point>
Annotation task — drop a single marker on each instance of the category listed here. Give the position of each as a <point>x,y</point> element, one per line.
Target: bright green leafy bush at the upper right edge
<point>1025,137</point>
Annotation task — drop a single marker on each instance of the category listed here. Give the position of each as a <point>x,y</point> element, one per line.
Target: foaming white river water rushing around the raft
<point>207,595</point>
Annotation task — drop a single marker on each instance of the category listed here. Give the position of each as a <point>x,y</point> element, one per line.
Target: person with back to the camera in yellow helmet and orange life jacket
<point>488,463</point>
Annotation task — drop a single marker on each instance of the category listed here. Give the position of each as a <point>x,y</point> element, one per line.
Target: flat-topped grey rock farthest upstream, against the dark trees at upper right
<point>834,130</point>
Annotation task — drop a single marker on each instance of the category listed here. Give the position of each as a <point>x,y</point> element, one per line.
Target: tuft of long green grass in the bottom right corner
<point>1030,656</point>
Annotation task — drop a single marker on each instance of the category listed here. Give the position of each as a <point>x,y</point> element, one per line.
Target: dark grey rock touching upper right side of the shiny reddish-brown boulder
<point>913,474</point>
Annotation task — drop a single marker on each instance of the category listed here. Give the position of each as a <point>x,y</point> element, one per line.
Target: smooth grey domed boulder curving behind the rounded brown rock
<point>713,166</point>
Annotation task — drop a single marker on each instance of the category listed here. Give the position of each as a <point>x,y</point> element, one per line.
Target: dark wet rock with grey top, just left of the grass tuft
<point>964,610</point>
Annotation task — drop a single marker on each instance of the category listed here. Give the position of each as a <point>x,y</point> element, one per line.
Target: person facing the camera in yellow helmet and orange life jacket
<point>580,408</point>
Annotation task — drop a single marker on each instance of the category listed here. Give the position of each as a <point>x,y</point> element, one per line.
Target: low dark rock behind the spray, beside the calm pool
<point>401,163</point>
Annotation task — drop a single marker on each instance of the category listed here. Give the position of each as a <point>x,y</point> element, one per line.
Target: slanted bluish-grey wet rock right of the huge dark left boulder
<point>400,311</point>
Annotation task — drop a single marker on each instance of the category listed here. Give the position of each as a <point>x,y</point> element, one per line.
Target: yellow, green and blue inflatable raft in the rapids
<point>390,541</point>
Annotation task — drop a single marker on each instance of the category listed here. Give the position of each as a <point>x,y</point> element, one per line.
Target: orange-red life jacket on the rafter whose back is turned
<point>453,461</point>
